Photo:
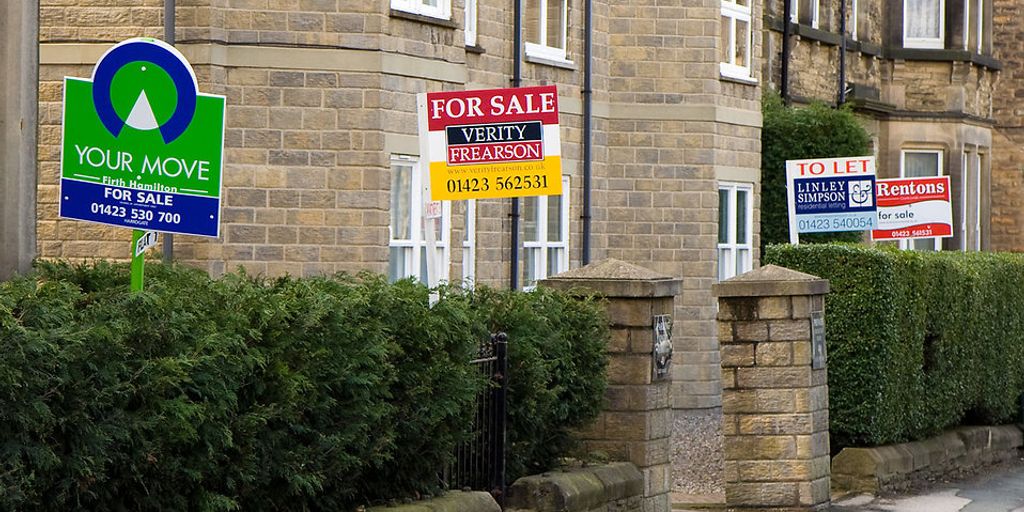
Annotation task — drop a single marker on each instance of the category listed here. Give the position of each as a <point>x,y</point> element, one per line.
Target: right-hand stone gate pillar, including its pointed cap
<point>775,391</point>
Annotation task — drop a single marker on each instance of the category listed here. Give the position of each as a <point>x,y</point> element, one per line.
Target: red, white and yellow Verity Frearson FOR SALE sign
<point>492,144</point>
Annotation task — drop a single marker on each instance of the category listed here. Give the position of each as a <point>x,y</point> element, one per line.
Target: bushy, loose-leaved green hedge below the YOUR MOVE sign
<point>250,395</point>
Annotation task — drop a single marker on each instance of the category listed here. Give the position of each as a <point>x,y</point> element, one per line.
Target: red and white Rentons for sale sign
<point>914,208</point>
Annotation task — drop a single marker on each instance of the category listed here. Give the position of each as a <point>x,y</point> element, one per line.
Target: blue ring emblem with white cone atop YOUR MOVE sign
<point>149,53</point>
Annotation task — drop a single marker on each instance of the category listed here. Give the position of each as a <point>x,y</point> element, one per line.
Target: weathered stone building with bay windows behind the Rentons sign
<point>923,76</point>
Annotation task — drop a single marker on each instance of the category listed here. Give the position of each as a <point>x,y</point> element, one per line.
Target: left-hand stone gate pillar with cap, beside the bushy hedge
<point>636,423</point>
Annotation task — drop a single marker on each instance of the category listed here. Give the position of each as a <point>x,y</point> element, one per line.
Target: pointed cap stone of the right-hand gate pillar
<point>772,281</point>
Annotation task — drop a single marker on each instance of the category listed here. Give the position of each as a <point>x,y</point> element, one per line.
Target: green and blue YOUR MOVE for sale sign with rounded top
<point>143,148</point>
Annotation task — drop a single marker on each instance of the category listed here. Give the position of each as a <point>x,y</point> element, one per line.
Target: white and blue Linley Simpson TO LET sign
<point>831,195</point>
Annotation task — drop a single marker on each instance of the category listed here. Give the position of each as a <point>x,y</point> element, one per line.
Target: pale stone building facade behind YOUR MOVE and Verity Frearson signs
<point>322,152</point>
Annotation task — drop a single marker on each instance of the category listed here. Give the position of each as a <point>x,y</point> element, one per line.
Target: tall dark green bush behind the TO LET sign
<point>797,134</point>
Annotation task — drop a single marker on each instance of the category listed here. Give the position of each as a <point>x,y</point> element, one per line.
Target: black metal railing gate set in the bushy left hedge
<point>480,462</point>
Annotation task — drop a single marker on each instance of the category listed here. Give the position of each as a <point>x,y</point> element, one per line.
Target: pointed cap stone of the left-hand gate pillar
<point>613,278</point>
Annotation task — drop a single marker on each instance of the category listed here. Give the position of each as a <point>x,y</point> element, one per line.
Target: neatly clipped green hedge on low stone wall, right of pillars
<point>918,343</point>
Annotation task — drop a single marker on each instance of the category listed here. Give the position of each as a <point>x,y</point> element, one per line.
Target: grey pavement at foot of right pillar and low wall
<point>998,490</point>
